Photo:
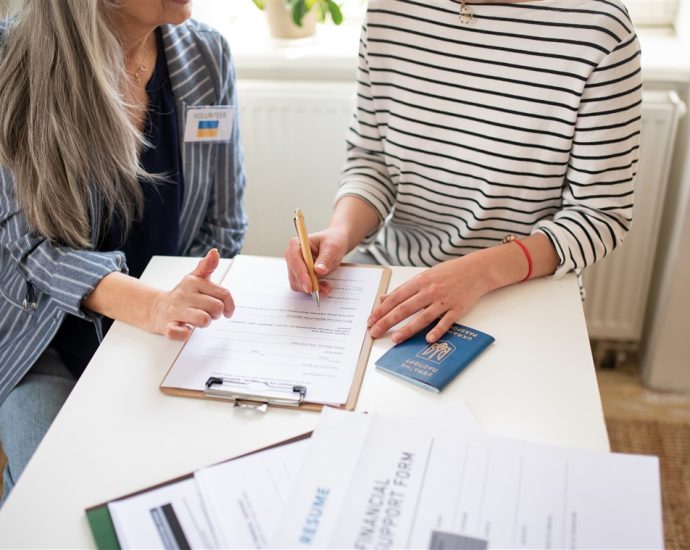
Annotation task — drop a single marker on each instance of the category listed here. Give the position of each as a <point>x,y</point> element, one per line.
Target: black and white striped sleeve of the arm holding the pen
<point>365,174</point>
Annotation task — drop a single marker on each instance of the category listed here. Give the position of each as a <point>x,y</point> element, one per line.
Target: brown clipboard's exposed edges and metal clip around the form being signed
<point>244,392</point>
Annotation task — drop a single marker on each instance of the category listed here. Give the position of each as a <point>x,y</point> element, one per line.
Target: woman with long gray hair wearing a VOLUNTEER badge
<point>117,142</point>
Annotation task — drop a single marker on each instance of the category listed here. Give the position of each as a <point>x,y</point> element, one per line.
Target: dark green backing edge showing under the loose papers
<point>101,522</point>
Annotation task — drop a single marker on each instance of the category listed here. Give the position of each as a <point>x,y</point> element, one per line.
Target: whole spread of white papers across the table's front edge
<point>430,481</point>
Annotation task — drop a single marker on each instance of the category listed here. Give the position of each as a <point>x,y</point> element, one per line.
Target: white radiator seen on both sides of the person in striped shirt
<point>293,136</point>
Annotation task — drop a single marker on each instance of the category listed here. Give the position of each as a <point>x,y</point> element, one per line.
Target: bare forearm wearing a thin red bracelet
<point>507,264</point>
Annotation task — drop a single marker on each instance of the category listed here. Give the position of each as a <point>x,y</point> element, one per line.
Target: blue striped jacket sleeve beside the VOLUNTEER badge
<point>225,221</point>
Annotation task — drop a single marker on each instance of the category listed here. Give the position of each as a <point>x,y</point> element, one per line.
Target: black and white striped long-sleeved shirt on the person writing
<point>526,119</point>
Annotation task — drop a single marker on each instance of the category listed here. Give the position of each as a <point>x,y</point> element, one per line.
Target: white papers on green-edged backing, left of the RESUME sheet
<point>235,504</point>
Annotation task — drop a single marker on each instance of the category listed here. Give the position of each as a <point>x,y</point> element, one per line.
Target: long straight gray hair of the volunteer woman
<point>64,122</point>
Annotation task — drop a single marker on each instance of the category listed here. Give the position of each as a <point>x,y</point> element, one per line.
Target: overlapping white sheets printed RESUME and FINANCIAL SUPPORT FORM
<point>371,481</point>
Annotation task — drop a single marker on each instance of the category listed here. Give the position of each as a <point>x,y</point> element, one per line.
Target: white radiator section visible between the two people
<point>293,135</point>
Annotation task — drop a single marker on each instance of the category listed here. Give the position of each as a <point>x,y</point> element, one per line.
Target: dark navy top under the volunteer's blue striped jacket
<point>157,232</point>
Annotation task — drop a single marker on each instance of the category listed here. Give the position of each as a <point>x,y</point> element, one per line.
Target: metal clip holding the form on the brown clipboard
<point>221,388</point>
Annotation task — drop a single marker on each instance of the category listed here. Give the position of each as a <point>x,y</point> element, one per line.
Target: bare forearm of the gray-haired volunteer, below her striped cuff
<point>124,298</point>
